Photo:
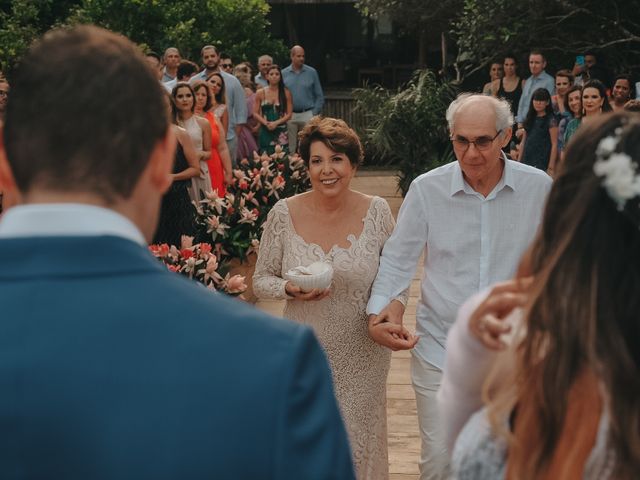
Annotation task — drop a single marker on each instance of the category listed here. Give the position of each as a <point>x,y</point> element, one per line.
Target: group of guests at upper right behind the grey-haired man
<point>549,109</point>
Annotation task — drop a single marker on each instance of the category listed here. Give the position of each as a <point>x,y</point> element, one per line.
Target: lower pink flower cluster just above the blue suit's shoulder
<point>198,262</point>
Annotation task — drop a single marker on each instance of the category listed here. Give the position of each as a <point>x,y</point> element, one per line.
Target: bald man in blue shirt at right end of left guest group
<point>304,84</point>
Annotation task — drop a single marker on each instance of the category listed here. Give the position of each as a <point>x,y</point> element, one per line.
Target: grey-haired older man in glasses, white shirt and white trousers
<point>473,219</point>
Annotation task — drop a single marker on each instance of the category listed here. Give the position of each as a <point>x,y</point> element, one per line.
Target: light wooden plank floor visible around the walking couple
<point>404,437</point>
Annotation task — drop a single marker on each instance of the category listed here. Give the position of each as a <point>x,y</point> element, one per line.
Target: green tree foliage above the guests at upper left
<point>239,27</point>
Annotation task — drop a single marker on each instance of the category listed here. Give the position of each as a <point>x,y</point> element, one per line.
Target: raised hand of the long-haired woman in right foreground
<point>487,323</point>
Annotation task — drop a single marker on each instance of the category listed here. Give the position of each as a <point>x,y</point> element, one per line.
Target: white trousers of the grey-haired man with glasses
<point>434,458</point>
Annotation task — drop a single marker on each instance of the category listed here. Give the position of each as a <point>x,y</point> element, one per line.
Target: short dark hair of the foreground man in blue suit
<point>84,115</point>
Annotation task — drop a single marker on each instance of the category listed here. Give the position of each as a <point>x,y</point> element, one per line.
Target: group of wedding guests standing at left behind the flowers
<point>228,113</point>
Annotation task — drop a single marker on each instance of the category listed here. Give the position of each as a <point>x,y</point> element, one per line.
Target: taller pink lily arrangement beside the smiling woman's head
<point>234,222</point>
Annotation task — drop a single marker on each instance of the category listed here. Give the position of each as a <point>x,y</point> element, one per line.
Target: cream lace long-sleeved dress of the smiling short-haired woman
<point>359,365</point>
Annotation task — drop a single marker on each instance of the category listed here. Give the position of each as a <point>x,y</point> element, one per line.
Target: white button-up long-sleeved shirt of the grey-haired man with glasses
<point>470,241</point>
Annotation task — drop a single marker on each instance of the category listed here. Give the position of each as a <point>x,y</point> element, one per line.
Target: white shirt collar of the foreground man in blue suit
<point>67,219</point>
